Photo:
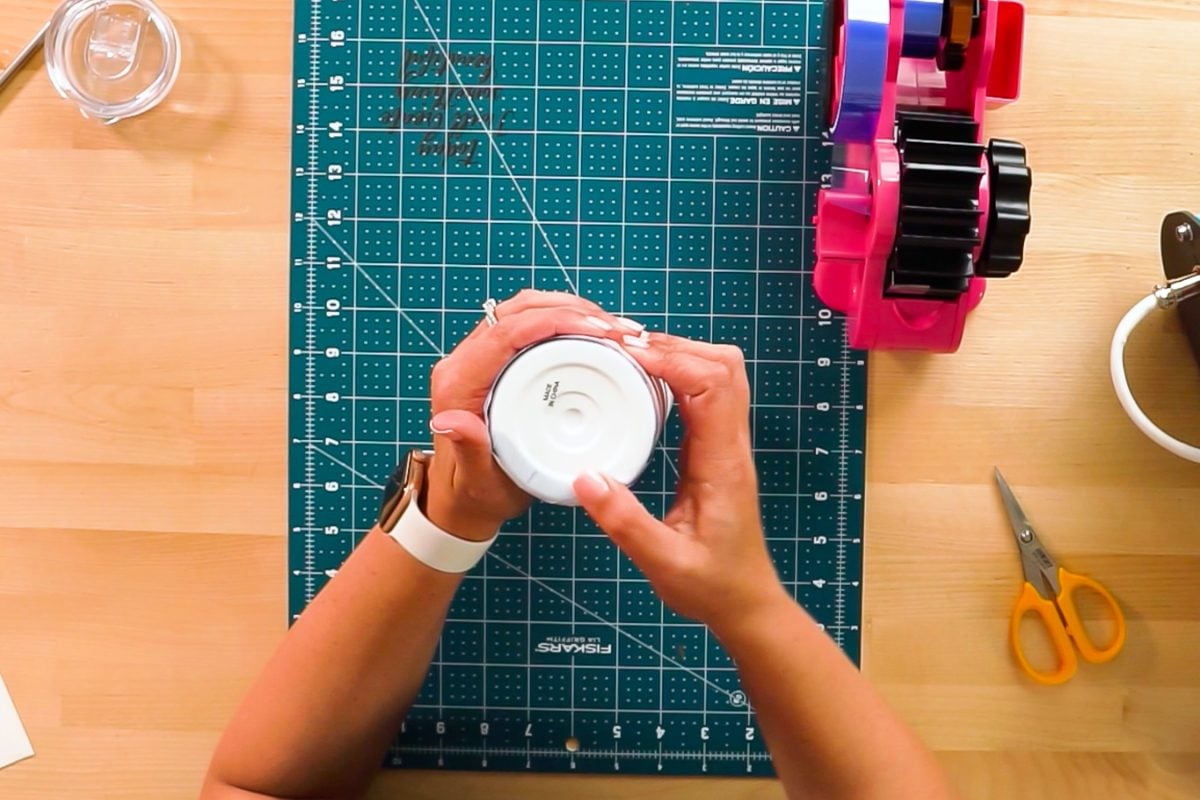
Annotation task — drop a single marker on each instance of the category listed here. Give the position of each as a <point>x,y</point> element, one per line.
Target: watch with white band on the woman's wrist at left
<point>401,518</point>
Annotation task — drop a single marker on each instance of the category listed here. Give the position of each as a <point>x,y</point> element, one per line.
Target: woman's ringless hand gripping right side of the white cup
<point>707,560</point>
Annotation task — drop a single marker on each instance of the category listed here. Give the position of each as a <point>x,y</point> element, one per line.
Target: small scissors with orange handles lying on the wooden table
<point>1049,594</point>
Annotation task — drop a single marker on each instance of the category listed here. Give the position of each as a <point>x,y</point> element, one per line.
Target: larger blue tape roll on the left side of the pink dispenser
<point>865,65</point>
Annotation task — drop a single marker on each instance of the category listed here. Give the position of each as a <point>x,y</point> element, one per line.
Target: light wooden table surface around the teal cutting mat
<point>143,324</point>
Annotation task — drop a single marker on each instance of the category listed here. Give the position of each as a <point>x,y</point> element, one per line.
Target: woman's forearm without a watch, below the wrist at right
<point>830,733</point>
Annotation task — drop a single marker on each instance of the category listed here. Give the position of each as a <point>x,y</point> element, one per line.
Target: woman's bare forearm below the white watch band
<point>321,717</point>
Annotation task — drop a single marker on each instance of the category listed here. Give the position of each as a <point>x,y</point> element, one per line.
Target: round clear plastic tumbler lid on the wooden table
<point>112,58</point>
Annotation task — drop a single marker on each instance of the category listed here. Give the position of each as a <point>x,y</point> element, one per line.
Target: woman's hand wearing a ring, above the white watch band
<point>469,495</point>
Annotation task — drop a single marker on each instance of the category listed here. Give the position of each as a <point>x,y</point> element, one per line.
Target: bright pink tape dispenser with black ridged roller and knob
<point>917,212</point>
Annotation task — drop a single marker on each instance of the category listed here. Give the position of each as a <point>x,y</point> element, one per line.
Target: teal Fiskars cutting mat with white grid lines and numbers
<point>662,159</point>
